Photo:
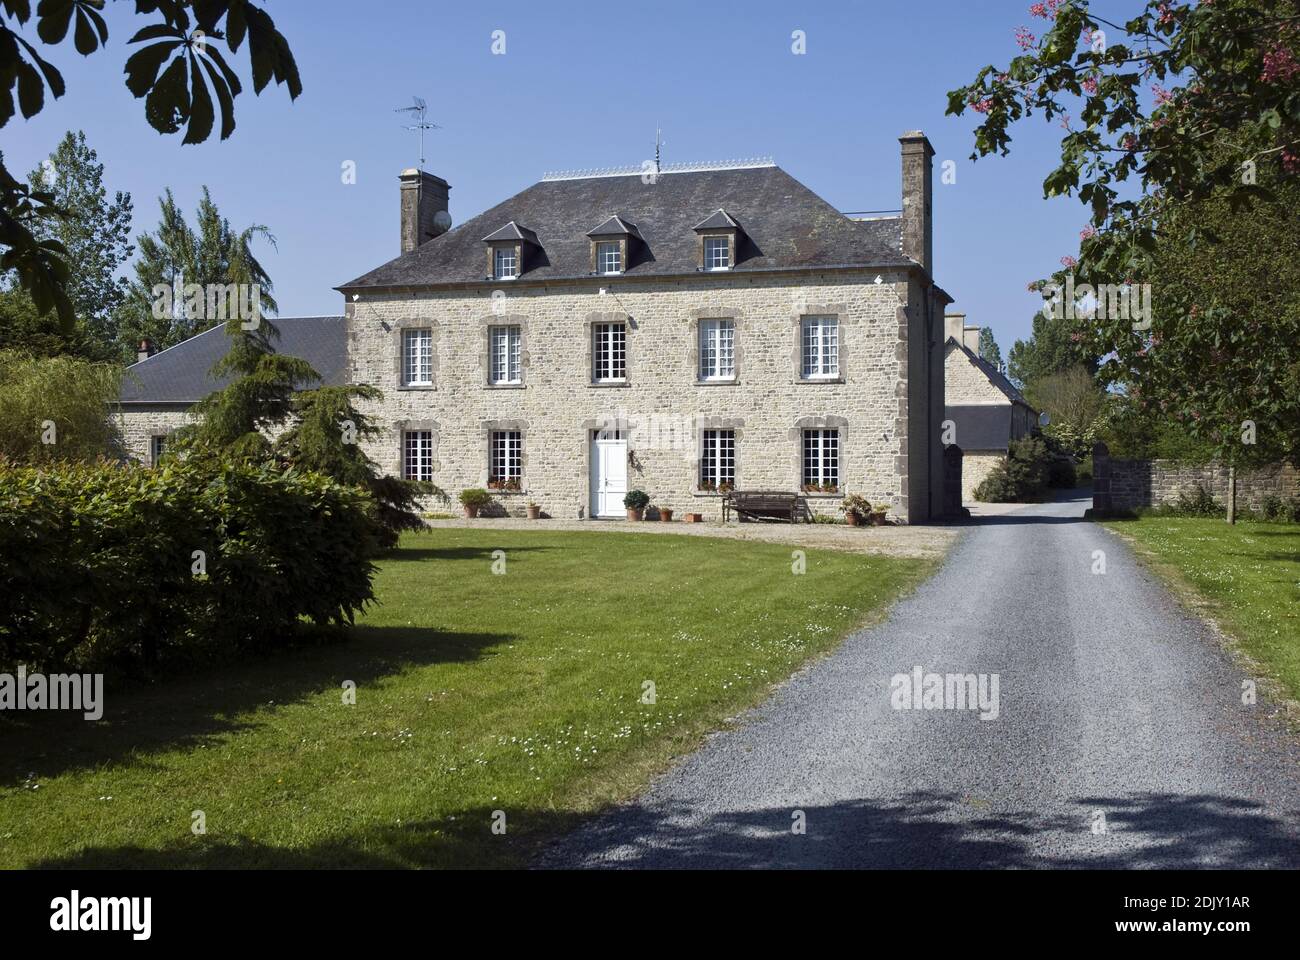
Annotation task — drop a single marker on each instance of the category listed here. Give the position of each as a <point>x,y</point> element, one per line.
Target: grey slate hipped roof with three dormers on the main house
<point>788,227</point>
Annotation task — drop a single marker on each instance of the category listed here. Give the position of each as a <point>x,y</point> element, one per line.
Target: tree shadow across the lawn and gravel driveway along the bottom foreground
<point>922,831</point>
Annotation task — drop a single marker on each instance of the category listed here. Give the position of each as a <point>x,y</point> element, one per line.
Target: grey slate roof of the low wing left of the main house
<point>181,374</point>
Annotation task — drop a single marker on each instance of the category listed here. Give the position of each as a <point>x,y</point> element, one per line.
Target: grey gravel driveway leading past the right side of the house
<point>1120,742</point>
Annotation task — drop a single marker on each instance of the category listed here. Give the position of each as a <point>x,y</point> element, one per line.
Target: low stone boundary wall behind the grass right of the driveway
<point>1130,485</point>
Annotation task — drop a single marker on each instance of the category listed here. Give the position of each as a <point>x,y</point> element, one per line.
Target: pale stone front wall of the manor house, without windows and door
<point>664,407</point>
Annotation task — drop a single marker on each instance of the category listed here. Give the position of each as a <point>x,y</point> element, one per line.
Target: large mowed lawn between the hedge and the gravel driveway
<point>475,694</point>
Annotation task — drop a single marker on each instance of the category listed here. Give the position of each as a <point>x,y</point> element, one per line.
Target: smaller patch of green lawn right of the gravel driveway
<point>1247,577</point>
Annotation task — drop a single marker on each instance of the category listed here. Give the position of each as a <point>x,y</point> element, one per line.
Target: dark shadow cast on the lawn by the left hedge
<point>187,712</point>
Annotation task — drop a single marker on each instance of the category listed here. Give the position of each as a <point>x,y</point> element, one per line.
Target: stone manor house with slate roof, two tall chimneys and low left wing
<point>686,332</point>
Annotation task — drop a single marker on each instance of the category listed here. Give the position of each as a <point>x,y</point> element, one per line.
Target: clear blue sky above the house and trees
<point>586,85</point>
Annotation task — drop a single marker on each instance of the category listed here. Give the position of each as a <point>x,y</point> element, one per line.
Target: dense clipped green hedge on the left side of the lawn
<point>98,561</point>
